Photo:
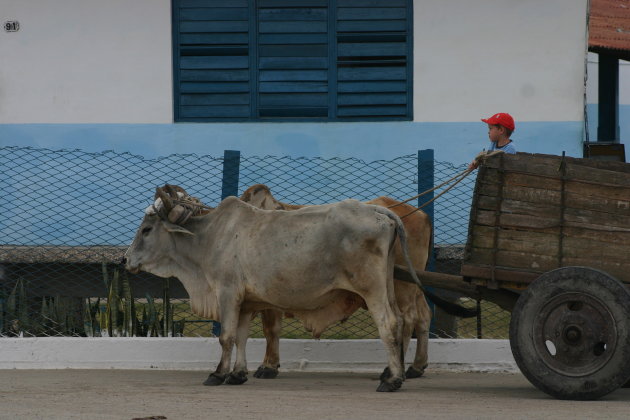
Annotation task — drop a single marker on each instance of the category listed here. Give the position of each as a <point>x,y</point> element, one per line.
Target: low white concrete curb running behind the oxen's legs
<point>204,353</point>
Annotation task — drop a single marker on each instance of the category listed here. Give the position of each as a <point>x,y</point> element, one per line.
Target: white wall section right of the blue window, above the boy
<point>475,58</point>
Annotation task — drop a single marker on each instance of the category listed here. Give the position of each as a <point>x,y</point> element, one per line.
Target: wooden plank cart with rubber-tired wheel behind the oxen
<point>549,239</point>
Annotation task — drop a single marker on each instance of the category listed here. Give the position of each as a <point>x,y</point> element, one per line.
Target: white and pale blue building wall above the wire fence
<point>96,75</point>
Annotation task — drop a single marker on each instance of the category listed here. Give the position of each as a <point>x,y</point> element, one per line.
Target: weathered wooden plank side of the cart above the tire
<point>535,213</point>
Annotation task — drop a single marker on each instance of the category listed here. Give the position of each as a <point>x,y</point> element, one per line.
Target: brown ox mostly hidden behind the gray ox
<point>410,299</point>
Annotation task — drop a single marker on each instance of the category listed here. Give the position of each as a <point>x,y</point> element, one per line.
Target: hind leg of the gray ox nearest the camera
<point>388,323</point>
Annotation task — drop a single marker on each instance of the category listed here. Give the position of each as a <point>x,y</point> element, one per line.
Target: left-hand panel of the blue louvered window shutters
<point>211,60</point>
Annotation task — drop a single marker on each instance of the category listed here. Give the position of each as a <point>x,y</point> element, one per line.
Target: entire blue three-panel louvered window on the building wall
<point>240,60</point>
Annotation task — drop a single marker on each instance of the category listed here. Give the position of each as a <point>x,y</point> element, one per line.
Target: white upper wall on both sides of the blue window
<point>95,61</point>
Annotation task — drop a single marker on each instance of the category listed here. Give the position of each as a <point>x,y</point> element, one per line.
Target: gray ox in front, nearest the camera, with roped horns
<point>237,259</point>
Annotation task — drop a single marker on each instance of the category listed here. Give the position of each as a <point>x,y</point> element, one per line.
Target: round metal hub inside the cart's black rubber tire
<point>575,334</point>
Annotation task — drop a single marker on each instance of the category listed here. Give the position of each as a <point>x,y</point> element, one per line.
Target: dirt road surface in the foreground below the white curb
<point>128,394</point>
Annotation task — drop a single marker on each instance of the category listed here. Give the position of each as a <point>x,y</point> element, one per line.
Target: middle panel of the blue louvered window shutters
<point>292,59</point>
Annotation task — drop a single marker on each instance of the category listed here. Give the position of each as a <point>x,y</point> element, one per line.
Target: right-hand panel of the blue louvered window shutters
<point>373,54</point>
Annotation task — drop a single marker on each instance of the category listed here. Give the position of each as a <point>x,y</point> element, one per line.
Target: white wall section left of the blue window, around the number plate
<point>86,61</point>
